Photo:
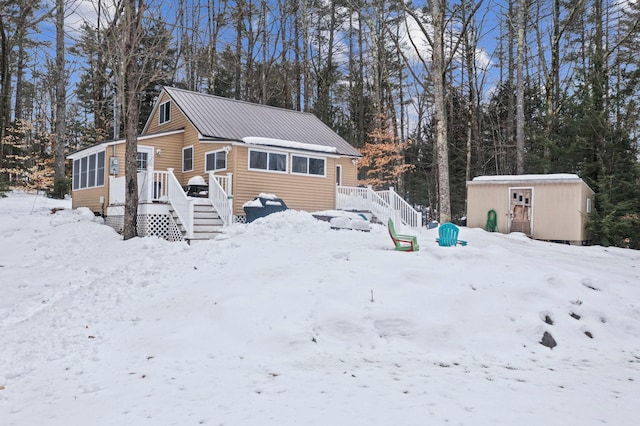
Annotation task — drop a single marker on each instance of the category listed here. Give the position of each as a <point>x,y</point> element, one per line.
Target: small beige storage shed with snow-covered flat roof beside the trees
<point>551,207</point>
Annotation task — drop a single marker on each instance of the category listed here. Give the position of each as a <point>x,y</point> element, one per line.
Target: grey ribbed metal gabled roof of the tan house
<point>222,118</point>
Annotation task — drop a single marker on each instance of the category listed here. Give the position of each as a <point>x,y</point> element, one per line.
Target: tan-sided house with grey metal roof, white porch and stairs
<point>238,150</point>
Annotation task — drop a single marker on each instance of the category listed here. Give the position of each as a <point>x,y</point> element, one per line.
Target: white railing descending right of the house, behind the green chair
<point>383,204</point>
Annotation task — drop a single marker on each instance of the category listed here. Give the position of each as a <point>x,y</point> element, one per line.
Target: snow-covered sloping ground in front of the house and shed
<point>287,322</point>
